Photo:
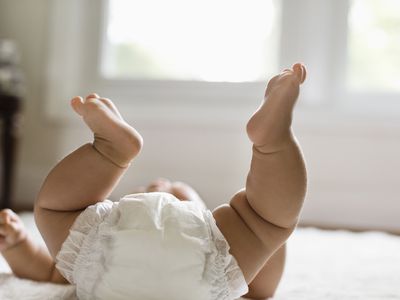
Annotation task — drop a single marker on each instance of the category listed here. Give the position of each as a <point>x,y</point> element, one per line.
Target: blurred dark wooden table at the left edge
<point>9,110</point>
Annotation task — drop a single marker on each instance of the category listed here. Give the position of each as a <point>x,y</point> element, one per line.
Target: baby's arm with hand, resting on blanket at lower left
<point>25,258</point>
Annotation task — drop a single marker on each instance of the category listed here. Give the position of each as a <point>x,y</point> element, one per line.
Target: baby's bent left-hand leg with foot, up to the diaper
<point>88,174</point>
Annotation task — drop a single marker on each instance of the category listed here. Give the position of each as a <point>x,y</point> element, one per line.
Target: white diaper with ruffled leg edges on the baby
<point>149,246</point>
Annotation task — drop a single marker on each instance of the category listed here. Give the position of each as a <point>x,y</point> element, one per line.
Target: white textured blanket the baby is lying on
<point>326,265</point>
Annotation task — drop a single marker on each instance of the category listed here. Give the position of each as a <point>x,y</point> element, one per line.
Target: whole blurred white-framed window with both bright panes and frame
<point>187,54</point>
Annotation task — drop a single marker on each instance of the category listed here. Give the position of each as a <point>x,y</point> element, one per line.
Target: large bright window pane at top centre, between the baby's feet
<point>208,40</point>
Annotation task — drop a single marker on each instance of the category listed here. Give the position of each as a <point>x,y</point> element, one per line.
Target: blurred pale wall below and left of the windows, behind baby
<point>352,161</point>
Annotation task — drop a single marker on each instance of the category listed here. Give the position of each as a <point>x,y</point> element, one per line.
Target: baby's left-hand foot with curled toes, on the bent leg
<point>113,137</point>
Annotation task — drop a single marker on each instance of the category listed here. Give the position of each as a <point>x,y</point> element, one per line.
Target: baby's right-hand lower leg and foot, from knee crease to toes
<point>276,183</point>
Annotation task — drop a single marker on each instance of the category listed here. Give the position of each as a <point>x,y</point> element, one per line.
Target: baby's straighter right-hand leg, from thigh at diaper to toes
<point>260,218</point>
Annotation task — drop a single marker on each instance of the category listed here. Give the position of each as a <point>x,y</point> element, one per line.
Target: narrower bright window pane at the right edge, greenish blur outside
<point>374,45</point>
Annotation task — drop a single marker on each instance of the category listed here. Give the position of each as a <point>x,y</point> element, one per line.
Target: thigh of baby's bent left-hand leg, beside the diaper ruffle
<point>54,226</point>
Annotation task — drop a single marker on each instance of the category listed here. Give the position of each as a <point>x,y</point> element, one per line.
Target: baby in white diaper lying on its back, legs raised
<point>150,245</point>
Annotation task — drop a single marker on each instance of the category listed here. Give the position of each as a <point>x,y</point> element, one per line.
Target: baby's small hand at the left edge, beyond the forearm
<point>12,230</point>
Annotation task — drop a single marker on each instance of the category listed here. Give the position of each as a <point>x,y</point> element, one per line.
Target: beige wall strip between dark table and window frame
<point>26,22</point>
